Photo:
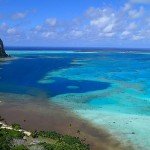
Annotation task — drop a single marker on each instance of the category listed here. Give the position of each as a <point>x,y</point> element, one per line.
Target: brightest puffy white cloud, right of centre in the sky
<point>103,22</point>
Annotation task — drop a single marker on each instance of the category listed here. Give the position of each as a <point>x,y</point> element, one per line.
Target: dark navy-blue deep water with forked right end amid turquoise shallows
<point>22,76</point>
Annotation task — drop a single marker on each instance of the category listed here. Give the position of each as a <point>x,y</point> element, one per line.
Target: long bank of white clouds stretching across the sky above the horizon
<point>129,22</point>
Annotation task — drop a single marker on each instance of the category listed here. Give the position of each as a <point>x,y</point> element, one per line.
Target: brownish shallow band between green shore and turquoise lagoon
<point>42,115</point>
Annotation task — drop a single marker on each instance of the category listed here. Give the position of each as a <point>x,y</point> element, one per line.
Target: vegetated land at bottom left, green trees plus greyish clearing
<point>60,142</point>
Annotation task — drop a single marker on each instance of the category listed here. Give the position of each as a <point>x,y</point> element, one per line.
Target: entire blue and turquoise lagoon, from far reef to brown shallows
<point>109,89</point>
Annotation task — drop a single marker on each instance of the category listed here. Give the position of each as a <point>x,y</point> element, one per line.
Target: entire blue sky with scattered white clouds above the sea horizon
<point>75,23</point>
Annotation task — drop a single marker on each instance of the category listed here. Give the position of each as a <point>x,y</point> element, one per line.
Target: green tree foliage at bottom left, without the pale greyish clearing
<point>62,142</point>
